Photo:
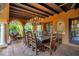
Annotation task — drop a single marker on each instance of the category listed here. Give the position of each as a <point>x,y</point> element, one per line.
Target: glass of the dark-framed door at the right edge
<point>75,31</point>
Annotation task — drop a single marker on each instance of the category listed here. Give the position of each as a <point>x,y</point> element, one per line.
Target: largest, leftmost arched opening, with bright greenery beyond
<point>15,29</point>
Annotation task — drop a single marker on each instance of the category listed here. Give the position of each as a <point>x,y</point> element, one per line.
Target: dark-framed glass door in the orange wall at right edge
<point>74,30</point>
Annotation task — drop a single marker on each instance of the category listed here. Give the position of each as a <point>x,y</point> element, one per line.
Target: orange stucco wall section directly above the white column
<point>4,13</point>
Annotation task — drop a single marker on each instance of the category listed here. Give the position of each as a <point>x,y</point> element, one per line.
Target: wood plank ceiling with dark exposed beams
<point>29,10</point>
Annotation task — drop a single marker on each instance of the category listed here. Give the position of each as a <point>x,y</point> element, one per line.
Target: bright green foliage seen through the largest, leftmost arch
<point>15,28</point>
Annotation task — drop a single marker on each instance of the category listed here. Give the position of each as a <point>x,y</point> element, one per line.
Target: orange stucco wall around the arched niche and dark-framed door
<point>64,16</point>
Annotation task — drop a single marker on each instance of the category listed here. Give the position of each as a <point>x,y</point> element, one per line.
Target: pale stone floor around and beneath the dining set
<point>19,49</point>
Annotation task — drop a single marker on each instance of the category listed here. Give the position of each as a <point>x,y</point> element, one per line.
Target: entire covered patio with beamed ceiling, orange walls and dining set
<point>42,29</point>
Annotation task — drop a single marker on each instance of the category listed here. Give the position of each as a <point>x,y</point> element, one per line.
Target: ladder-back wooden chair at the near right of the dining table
<point>51,45</point>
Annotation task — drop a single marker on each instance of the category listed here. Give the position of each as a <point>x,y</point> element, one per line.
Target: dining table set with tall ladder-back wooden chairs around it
<point>38,43</point>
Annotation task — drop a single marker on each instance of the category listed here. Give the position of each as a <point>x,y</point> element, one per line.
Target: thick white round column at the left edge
<point>2,37</point>
